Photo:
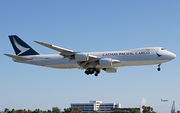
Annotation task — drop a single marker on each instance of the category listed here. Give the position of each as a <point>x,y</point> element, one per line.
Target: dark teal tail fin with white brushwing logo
<point>20,47</point>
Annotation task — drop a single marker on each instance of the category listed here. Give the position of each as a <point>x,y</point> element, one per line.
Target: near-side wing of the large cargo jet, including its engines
<point>85,60</point>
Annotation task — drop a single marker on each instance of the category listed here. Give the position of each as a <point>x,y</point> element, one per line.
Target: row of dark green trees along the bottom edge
<point>146,109</point>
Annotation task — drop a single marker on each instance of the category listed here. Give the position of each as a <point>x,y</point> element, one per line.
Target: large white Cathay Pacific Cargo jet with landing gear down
<point>92,62</point>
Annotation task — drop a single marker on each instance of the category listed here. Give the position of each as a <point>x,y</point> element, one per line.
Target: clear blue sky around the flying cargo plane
<point>89,26</point>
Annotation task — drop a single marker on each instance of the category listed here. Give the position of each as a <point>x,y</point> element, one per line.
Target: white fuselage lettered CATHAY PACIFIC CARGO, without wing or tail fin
<point>133,57</point>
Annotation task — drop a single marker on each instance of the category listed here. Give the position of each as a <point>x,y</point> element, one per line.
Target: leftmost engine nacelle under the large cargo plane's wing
<point>81,57</point>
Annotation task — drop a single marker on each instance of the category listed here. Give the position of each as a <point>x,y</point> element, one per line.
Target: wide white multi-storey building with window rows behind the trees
<point>96,106</point>
